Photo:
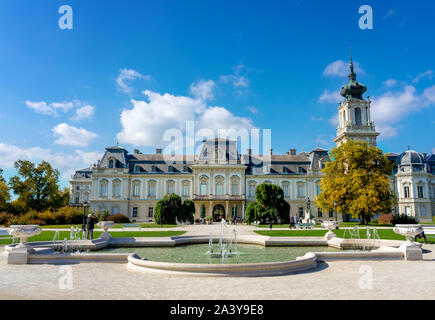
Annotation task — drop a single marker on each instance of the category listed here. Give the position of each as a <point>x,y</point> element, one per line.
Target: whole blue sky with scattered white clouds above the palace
<point>129,70</point>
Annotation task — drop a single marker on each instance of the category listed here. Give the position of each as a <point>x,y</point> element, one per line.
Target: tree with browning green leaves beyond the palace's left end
<point>37,186</point>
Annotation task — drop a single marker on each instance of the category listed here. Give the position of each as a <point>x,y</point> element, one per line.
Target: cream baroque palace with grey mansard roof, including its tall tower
<point>221,179</point>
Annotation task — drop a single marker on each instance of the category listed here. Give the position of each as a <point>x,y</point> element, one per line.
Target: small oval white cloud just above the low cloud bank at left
<point>69,135</point>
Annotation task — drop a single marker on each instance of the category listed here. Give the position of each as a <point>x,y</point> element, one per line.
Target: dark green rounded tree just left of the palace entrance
<point>168,209</point>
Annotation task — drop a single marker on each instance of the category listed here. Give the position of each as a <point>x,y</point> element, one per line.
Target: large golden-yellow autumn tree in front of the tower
<point>357,181</point>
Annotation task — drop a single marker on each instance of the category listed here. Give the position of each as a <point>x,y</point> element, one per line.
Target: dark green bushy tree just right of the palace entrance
<point>269,205</point>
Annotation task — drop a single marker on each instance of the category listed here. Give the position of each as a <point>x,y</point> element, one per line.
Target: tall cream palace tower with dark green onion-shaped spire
<point>354,113</point>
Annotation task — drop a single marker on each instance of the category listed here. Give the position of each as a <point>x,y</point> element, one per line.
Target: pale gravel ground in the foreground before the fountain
<point>332,280</point>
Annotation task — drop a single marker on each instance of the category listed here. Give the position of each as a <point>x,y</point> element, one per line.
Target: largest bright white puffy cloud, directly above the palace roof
<point>146,123</point>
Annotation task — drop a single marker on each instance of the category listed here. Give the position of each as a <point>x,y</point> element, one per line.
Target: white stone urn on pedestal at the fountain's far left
<point>19,254</point>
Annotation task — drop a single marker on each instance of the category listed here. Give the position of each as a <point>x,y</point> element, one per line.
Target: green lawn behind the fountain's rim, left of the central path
<point>48,235</point>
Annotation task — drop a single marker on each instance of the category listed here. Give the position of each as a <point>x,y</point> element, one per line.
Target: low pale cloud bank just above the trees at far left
<point>67,163</point>
